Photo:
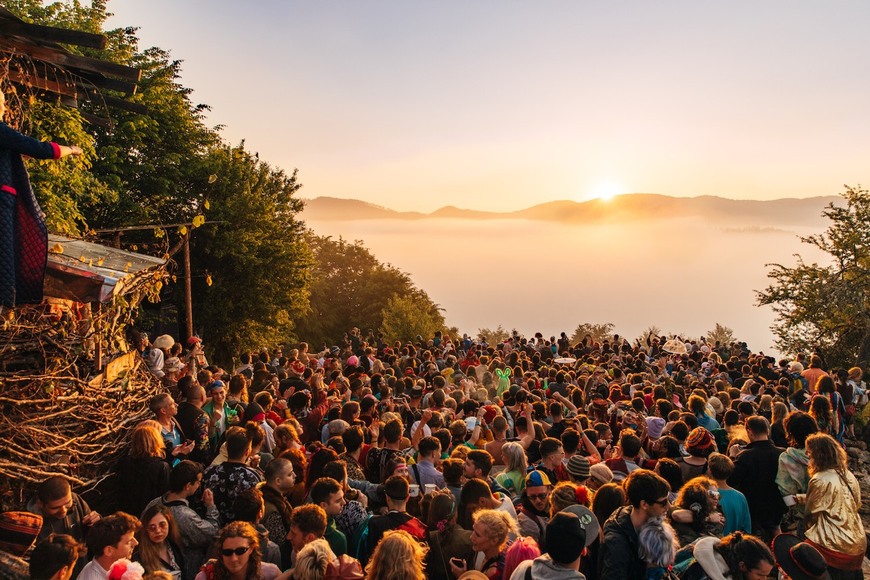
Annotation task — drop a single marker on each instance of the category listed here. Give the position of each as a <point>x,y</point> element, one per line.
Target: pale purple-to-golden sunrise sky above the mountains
<point>501,105</point>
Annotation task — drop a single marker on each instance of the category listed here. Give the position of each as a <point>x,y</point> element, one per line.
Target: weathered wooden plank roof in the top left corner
<point>37,60</point>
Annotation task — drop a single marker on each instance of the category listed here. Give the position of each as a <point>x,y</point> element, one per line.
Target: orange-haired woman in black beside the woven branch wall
<point>144,473</point>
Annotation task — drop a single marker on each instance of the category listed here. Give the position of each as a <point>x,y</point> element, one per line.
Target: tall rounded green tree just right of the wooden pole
<point>256,254</point>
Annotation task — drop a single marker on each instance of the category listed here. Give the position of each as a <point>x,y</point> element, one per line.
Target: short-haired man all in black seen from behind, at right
<point>754,476</point>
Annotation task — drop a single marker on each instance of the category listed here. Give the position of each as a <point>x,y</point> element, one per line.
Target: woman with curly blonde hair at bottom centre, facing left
<point>489,540</point>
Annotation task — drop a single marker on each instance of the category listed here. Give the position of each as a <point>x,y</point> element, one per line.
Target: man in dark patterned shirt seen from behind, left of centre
<point>228,479</point>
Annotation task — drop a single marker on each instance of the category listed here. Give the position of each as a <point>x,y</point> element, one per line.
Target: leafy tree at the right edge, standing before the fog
<point>827,306</point>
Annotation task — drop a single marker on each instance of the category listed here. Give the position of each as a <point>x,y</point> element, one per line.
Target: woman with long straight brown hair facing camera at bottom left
<point>159,542</point>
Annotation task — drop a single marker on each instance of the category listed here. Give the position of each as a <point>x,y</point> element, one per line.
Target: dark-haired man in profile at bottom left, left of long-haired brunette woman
<point>109,540</point>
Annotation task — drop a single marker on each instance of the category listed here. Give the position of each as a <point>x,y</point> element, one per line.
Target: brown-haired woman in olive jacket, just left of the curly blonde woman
<point>445,538</point>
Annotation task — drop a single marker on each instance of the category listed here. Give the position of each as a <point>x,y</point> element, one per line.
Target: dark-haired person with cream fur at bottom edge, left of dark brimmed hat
<point>734,556</point>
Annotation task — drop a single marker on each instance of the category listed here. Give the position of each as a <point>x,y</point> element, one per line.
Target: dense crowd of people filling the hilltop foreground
<point>450,458</point>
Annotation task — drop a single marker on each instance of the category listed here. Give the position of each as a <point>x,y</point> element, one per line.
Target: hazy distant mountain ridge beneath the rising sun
<point>628,207</point>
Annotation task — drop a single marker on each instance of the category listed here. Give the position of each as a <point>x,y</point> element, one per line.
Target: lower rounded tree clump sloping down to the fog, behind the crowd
<point>350,287</point>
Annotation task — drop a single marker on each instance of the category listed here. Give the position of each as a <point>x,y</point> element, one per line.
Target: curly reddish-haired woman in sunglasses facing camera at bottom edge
<point>238,556</point>
